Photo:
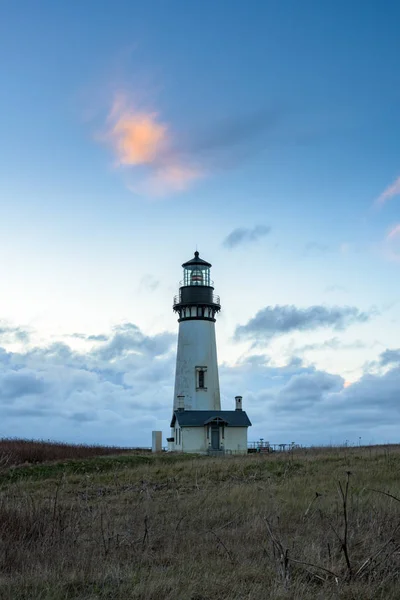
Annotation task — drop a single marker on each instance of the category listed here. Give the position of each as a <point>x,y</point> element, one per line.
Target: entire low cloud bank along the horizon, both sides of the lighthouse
<point>119,390</point>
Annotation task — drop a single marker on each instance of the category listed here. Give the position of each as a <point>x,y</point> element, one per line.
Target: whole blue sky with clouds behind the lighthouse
<point>266,135</point>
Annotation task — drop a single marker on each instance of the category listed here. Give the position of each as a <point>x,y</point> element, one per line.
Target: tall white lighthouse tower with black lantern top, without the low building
<point>196,376</point>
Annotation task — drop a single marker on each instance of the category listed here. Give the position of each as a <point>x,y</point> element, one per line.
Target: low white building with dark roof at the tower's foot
<point>210,431</point>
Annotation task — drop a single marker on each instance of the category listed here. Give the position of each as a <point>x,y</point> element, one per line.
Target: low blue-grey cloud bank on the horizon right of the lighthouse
<point>302,404</point>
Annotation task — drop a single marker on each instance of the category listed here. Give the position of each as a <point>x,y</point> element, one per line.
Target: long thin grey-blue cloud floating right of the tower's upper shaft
<point>278,320</point>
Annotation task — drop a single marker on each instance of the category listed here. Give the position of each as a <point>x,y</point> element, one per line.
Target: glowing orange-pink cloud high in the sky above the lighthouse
<point>139,139</point>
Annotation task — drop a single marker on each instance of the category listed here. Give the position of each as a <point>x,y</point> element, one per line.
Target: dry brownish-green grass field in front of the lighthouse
<point>320,524</point>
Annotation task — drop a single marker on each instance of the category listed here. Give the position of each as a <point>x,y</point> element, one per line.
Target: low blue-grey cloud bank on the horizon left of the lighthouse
<point>102,395</point>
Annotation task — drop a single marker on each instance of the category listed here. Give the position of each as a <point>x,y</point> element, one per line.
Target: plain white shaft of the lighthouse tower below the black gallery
<point>197,348</point>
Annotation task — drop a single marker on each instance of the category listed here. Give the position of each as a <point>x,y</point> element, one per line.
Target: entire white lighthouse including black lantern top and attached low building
<point>198,424</point>
